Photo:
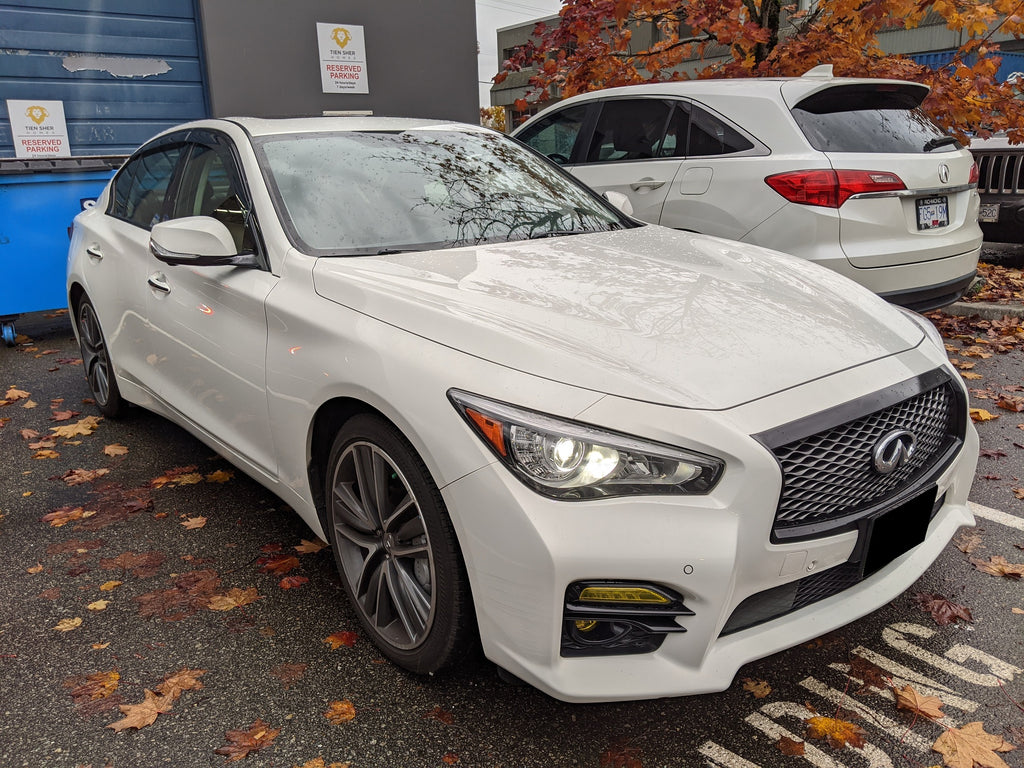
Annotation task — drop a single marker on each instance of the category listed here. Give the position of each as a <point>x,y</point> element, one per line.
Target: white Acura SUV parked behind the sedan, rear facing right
<point>848,174</point>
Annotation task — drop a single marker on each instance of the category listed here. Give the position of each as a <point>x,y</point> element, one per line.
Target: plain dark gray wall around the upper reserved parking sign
<point>263,60</point>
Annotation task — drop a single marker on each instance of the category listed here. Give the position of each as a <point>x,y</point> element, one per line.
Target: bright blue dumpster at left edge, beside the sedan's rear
<point>38,201</point>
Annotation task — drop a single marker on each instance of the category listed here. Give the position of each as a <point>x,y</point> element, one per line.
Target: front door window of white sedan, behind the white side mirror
<point>211,187</point>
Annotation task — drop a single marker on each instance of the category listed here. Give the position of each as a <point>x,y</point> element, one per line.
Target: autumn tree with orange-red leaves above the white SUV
<point>593,47</point>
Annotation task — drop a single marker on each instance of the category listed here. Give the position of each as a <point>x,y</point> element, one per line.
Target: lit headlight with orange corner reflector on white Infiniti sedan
<point>569,460</point>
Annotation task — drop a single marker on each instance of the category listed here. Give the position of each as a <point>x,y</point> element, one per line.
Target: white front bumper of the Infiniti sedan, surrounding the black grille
<point>523,551</point>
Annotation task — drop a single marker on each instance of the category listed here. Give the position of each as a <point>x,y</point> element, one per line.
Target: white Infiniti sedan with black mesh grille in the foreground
<point>626,460</point>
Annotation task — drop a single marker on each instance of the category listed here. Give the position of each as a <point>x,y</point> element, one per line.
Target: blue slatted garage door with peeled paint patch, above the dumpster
<point>124,69</point>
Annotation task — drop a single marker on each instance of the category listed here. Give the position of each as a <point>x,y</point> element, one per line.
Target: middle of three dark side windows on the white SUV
<point>629,130</point>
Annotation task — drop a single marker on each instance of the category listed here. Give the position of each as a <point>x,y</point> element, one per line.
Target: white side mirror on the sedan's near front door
<point>199,241</point>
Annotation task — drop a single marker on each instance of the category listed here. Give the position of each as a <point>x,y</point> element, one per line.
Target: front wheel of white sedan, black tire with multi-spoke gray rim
<point>396,548</point>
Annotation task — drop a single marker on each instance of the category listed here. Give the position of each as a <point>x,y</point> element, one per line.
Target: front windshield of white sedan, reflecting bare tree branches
<point>359,193</point>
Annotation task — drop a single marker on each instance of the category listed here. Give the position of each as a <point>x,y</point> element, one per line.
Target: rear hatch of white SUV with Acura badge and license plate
<point>917,203</point>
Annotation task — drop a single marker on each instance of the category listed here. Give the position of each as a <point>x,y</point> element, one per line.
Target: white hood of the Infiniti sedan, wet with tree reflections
<point>648,314</point>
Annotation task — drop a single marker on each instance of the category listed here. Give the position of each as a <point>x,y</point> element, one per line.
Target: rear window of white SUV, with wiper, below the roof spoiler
<point>870,119</point>
